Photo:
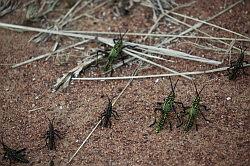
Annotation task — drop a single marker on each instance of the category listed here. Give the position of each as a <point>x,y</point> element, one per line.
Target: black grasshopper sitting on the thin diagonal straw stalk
<point>107,114</point>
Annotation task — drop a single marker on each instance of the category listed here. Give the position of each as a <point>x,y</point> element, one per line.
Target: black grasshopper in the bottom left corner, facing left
<point>14,155</point>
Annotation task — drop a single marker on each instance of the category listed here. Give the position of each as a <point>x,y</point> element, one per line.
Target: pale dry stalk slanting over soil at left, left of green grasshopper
<point>48,54</point>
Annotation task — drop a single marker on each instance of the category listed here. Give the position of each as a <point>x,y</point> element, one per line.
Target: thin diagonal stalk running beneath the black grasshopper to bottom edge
<point>134,73</point>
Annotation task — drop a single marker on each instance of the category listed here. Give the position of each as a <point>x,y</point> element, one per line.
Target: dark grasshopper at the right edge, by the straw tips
<point>236,66</point>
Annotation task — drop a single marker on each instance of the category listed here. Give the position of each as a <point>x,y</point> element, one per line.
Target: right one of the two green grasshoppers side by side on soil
<point>194,111</point>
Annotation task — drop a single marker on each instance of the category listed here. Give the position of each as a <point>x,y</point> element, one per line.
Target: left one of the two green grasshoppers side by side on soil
<point>166,108</point>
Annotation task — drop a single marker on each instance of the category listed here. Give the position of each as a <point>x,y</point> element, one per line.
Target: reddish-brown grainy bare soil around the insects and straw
<point>130,140</point>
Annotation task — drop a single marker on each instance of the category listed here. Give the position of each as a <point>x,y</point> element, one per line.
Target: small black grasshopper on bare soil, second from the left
<point>51,135</point>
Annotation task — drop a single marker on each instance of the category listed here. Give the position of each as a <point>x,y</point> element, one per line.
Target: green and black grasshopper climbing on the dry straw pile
<point>113,54</point>
